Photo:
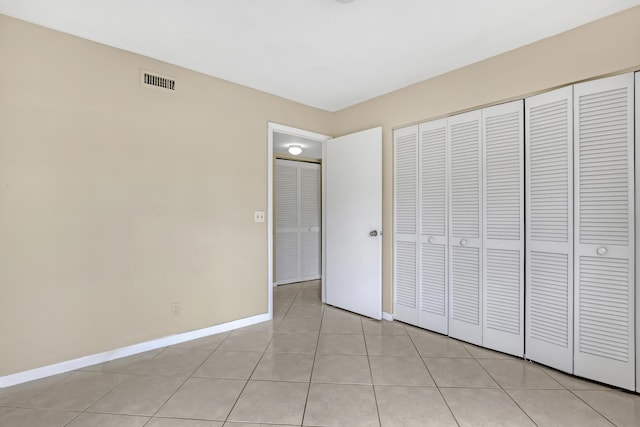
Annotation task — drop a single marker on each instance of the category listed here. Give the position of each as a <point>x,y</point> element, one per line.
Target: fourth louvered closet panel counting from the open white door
<point>503,228</point>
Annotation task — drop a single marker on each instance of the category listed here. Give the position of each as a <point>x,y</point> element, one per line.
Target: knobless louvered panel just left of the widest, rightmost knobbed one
<point>549,255</point>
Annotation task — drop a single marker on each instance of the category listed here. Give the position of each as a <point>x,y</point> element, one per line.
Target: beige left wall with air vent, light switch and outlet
<point>116,200</point>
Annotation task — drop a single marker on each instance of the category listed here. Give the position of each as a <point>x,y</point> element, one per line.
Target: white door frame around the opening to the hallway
<point>271,129</point>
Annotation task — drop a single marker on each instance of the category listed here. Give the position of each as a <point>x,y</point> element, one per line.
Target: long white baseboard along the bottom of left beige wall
<point>107,356</point>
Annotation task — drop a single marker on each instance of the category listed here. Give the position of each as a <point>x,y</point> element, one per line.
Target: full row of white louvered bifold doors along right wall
<point>514,228</point>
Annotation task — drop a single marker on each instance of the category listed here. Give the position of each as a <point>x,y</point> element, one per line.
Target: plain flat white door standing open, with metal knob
<point>352,175</point>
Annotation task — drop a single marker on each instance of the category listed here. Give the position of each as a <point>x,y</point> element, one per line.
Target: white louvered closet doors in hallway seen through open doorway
<point>297,221</point>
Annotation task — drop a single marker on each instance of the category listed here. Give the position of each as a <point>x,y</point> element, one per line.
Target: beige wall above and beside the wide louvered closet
<point>610,45</point>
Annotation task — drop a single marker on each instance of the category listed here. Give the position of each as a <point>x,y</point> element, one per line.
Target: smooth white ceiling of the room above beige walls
<point>328,54</point>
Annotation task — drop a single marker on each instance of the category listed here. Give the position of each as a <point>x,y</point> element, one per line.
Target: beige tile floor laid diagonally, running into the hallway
<point>316,365</point>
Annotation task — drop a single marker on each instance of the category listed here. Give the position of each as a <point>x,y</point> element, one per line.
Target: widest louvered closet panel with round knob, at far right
<point>604,240</point>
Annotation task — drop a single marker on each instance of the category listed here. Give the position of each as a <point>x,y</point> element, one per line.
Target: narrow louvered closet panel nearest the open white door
<point>405,143</point>
